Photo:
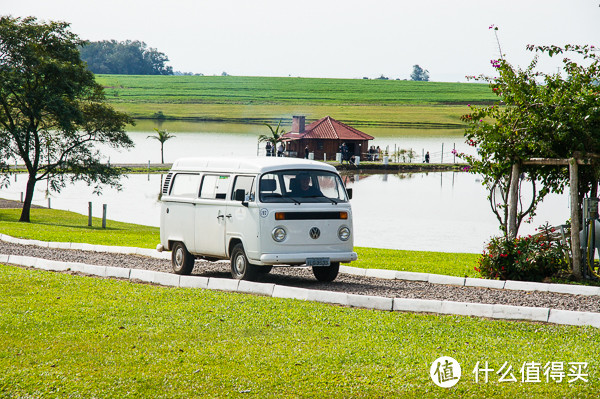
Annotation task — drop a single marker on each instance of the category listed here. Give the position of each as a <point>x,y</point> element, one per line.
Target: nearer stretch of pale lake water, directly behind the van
<point>446,211</point>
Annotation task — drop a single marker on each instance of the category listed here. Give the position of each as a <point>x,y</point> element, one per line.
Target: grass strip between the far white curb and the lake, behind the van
<point>64,226</point>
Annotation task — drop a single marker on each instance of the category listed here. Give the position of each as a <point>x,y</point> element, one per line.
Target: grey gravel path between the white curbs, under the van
<point>303,277</point>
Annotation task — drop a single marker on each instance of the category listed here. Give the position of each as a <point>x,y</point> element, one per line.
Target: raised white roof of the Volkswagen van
<point>247,165</point>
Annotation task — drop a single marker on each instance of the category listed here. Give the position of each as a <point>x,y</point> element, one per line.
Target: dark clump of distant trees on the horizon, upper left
<point>125,58</point>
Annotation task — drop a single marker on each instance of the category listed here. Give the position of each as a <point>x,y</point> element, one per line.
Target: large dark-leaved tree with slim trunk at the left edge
<point>52,112</point>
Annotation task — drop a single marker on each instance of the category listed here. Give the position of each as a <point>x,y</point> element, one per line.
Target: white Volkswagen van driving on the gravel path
<point>258,212</point>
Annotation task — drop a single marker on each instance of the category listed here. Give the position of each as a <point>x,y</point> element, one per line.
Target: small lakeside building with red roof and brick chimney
<point>325,136</point>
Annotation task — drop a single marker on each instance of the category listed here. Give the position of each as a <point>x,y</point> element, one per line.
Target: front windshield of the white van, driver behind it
<point>300,186</point>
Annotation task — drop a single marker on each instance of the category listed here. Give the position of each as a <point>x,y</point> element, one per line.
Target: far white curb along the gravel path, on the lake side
<point>571,289</point>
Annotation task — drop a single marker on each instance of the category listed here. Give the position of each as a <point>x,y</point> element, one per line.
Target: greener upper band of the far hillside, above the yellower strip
<point>271,90</point>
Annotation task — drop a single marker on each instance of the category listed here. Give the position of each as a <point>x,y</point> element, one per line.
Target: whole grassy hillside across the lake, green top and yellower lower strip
<point>399,104</point>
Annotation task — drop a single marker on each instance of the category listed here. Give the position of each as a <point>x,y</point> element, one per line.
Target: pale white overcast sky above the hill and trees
<point>330,38</point>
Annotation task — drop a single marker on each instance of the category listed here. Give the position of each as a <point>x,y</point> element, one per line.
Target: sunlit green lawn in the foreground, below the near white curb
<point>71,336</point>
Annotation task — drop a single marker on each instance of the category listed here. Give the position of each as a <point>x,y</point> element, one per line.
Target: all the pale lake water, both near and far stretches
<point>445,211</point>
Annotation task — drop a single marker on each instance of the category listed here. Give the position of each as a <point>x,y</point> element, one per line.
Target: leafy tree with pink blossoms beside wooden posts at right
<point>538,115</point>
